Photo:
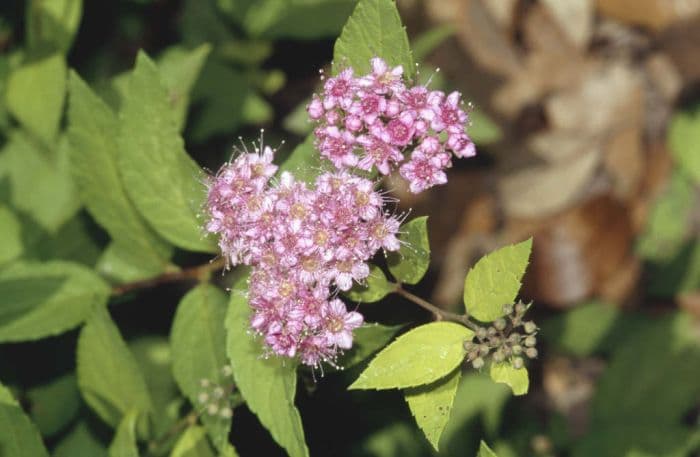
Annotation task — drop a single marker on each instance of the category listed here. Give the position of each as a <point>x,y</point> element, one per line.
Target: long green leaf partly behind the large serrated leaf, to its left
<point>92,132</point>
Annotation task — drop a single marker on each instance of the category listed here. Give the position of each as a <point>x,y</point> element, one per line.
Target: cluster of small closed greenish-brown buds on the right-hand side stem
<point>508,338</point>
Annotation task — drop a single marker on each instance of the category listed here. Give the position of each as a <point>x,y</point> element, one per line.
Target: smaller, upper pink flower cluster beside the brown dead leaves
<point>372,120</point>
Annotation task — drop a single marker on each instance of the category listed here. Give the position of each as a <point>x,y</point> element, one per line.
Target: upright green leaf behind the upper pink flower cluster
<point>373,30</point>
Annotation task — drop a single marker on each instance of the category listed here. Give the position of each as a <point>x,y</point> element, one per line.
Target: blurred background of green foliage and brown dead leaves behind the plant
<point>587,121</point>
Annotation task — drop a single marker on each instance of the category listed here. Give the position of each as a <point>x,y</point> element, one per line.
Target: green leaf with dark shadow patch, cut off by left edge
<point>46,299</point>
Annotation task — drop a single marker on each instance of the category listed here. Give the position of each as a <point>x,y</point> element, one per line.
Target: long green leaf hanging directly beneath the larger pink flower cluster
<point>268,385</point>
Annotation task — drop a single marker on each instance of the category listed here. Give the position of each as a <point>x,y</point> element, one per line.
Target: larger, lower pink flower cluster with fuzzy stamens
<point>303,243</point>
